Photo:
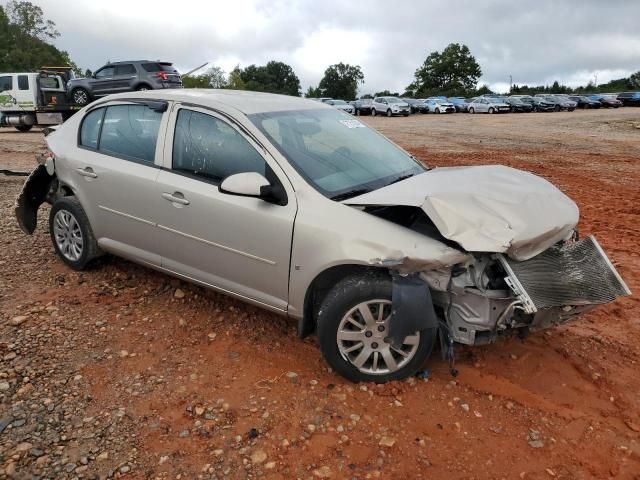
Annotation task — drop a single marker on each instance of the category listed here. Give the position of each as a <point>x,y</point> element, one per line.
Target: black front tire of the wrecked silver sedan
<point>348,297</point>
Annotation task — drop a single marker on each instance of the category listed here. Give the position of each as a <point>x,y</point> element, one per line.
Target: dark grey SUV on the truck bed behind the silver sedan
<point>120,77</point>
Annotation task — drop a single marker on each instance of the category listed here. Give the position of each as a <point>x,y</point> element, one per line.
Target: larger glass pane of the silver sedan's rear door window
<point>130,131</point>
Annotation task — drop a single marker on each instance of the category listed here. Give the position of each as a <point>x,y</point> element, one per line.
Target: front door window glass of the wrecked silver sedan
<point>206,146</point>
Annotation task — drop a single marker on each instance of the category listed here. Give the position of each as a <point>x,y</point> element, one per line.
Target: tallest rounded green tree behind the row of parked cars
<point>453,72</point>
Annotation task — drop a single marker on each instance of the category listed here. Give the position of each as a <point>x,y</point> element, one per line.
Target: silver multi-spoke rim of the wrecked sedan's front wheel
<point>362,338</point>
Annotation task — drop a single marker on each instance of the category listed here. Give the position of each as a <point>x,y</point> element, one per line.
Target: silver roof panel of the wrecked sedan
<point>244,101</point>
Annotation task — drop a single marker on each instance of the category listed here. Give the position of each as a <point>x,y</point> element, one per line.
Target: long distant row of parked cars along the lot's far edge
<point>491,103</point>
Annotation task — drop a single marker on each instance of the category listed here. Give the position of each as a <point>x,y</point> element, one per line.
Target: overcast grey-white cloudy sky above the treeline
<point>536,42</point>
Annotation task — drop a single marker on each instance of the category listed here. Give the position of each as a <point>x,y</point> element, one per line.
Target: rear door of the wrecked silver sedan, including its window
<point>113,173</point>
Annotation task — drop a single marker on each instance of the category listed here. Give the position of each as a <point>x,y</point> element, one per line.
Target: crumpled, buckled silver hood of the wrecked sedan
<point>486,209</point>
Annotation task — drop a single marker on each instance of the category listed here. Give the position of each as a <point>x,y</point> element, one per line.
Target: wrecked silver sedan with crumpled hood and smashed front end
<point>300,208</point>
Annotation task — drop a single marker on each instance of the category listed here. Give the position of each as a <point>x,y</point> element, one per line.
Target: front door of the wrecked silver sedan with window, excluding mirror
<point>240,245</point>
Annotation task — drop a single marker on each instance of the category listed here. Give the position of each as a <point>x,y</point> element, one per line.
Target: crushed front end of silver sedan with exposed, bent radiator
<point>494,294</point>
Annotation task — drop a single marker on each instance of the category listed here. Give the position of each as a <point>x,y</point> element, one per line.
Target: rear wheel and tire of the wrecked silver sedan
<point>71,234</point>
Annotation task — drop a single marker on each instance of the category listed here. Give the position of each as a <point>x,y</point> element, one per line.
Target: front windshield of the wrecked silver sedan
<point>338,155</point>
